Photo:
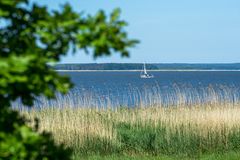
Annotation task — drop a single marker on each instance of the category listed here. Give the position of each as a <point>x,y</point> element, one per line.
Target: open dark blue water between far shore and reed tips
<point>105,81</point>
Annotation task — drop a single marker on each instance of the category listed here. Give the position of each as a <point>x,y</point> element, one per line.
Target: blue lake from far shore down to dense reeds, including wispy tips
<point>126,88</point>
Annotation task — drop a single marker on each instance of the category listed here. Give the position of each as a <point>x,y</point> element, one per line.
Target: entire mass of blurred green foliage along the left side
<point>31,37</point>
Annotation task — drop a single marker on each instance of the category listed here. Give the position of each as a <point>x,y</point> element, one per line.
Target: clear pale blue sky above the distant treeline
<point>170,31</point>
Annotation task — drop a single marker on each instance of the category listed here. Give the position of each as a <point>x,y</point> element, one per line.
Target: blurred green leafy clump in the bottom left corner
<point>19,142</point>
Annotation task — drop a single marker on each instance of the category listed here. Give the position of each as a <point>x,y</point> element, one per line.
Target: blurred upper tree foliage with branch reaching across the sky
<point>32,37</point>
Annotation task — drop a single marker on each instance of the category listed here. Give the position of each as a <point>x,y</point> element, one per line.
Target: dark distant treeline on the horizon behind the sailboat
<point>153,66</point>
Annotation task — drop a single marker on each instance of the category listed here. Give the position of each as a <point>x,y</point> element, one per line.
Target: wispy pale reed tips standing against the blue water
<point>164,96</point>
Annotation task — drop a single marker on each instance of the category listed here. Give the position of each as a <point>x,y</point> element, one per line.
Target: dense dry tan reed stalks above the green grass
<point>69,124</point>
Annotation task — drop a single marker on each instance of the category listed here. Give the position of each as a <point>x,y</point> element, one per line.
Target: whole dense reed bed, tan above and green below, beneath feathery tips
<point>190,132</point>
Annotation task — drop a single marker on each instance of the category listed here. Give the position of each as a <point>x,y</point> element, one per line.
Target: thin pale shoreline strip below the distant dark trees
<point>158,70</point>
